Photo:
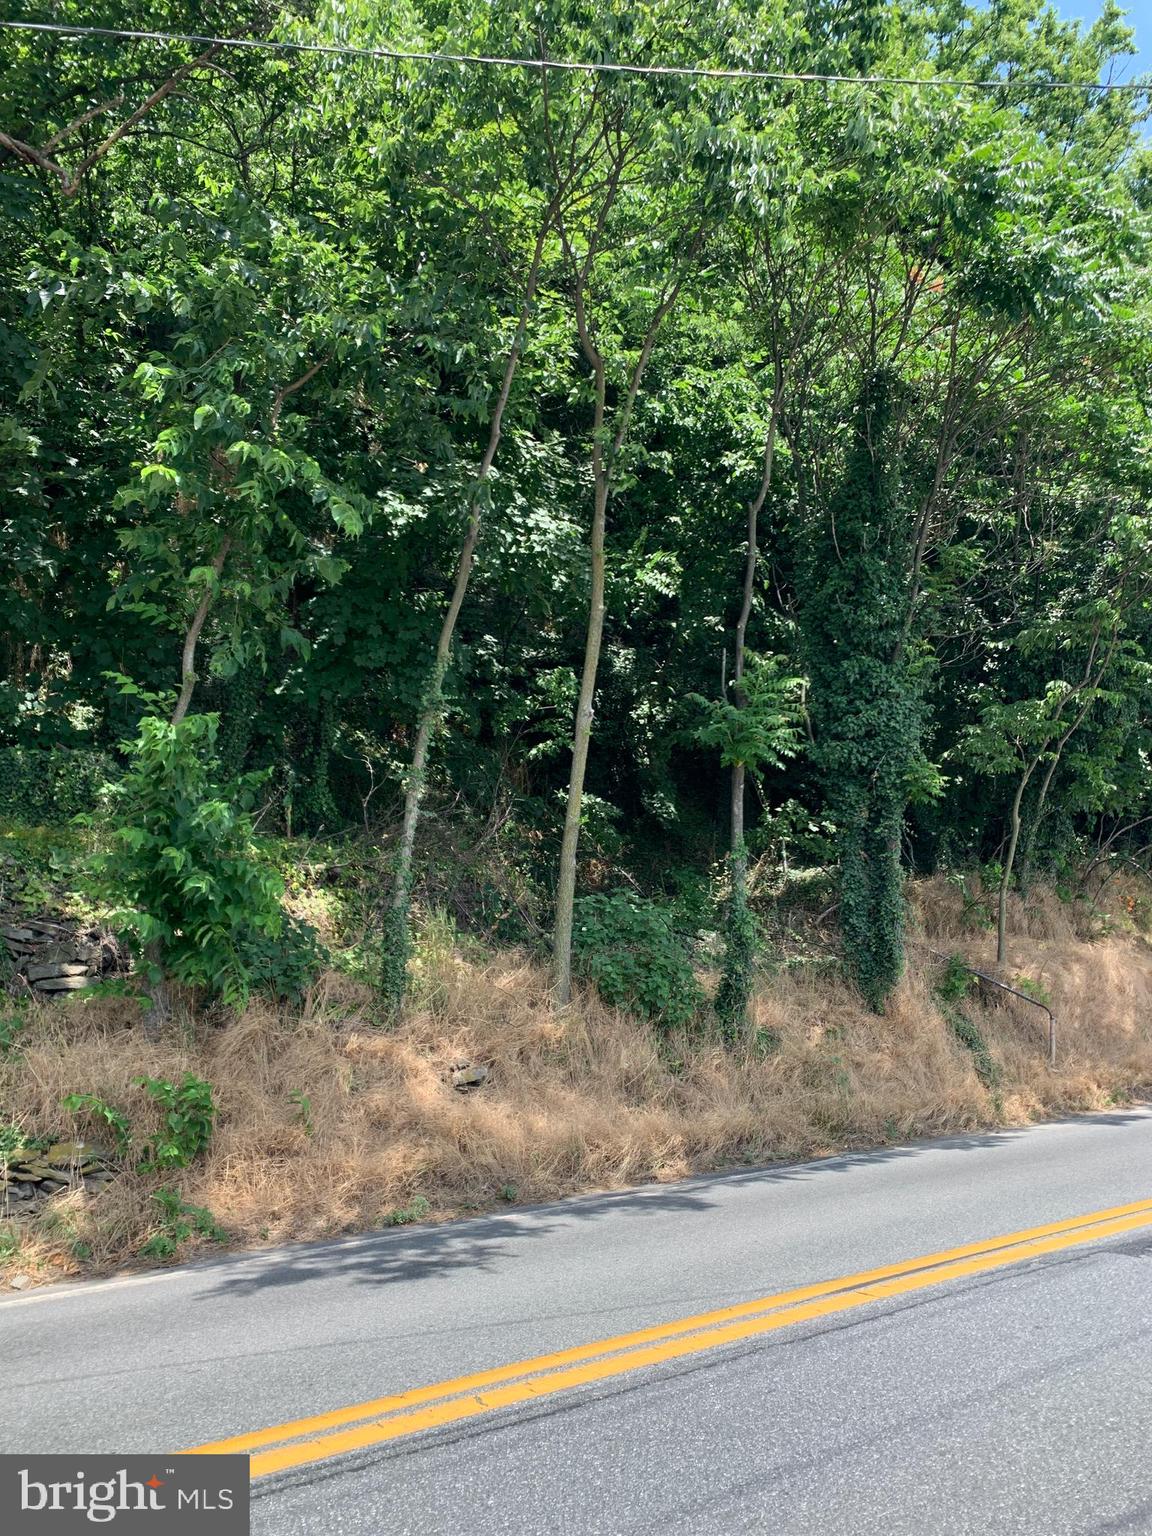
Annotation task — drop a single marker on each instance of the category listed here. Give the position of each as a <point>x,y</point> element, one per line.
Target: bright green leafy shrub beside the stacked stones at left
<point>188,882</point>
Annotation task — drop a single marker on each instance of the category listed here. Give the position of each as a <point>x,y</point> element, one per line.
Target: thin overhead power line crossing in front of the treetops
<point>578,67</point>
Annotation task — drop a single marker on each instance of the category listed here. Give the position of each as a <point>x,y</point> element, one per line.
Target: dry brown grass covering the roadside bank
<point>575,1102</point>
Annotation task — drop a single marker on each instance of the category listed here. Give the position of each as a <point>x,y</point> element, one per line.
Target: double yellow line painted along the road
<point>365,1425</point>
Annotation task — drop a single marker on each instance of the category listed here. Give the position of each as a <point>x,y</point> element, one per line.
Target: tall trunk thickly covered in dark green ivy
<point>864,703</point>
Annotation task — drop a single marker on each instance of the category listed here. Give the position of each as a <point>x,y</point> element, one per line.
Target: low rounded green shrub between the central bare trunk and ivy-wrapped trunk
<point>638,962</point>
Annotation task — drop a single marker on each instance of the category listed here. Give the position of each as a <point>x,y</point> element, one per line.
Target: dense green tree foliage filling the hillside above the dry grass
<point>399,415</point>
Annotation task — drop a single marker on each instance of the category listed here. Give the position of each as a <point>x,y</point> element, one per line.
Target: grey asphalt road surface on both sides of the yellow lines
<point>1018,1400</point>
